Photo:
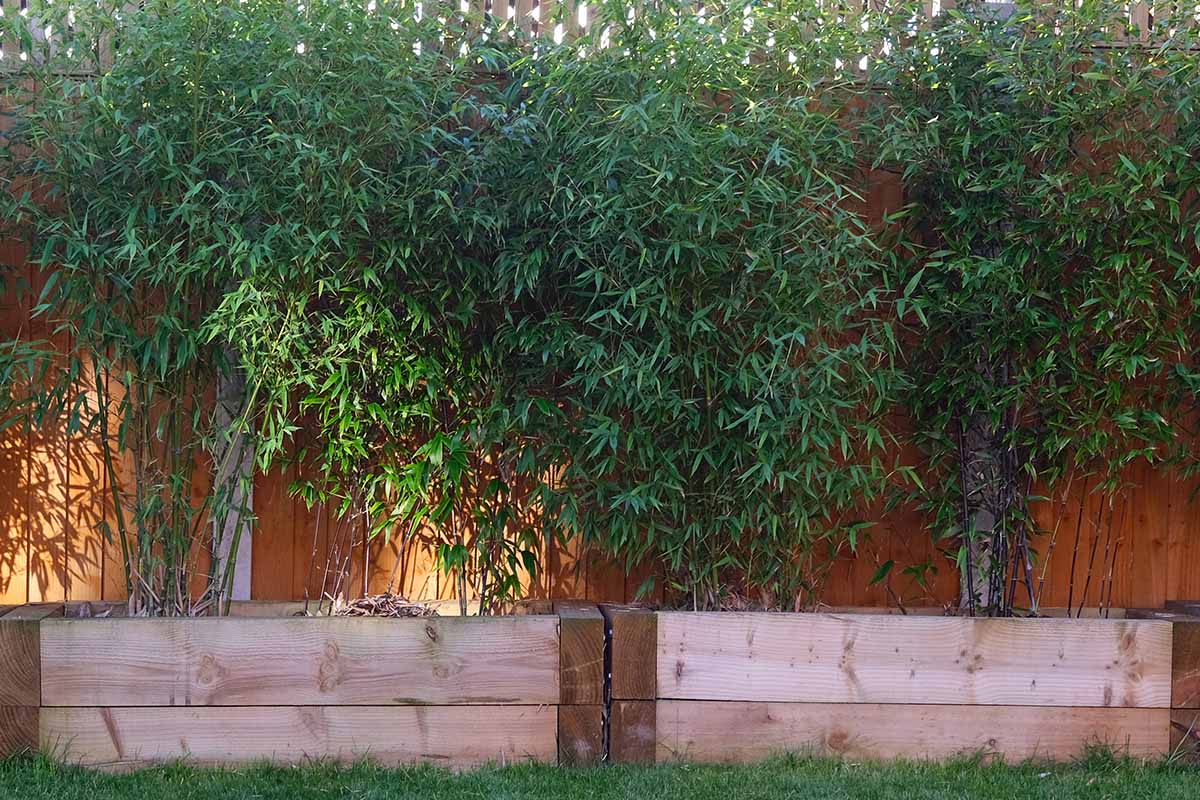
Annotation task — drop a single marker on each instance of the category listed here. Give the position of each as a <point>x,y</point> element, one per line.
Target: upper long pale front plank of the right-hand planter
<point>827,659</point>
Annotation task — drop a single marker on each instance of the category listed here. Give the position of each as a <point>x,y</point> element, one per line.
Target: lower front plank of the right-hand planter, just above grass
<point>747,732</point>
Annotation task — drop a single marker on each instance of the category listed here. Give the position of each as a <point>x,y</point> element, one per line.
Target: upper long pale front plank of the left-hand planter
<point>301,661</point>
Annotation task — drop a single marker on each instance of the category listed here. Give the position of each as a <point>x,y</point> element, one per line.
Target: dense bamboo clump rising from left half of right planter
<point>692,238</point>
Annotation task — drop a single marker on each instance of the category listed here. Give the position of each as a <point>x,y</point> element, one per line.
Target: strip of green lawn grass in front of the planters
<point>1097,778</point>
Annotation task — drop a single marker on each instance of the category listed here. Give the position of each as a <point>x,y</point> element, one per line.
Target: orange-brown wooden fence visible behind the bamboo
<point>53,497</point>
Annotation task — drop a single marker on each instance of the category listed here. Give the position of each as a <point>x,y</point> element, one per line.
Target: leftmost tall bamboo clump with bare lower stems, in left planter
<point>119,182</point>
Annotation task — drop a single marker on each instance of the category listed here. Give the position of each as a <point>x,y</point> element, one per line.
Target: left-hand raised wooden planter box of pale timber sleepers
<point>455,691</point>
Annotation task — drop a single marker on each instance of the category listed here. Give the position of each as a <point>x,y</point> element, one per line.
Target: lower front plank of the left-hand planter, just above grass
<point>448,736</point>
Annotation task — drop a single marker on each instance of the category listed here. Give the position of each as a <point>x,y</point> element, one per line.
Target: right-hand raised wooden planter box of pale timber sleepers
<point>739,688</point>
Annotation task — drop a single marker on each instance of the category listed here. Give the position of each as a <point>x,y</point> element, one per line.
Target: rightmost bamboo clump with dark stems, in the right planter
<point>1051,294</point>
